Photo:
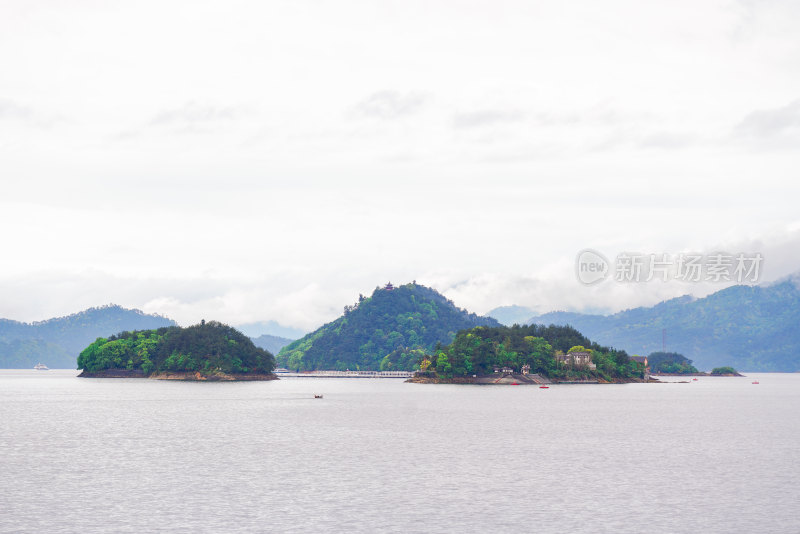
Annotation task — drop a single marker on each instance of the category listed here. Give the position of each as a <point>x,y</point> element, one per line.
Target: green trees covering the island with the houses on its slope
<point>479,350</point>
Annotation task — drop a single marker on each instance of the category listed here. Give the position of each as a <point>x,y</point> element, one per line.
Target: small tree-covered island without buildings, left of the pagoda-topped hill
<point>207,351</point>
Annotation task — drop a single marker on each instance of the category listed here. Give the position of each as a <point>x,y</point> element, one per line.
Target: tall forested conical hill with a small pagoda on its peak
<point>381,332</point>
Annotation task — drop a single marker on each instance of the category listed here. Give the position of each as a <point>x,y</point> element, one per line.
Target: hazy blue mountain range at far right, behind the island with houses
<point>752,328</point>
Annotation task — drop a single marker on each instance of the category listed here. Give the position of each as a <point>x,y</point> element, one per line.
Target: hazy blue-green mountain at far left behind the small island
<point>57,342</point>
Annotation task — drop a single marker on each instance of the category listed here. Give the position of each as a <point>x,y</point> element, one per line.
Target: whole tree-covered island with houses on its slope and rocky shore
<point>535,353</point>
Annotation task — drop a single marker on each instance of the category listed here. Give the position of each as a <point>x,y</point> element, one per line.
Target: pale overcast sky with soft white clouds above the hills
<point>251,161</point>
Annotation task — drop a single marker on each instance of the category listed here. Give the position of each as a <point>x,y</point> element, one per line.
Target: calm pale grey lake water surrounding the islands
<point>380,455</point>
